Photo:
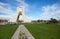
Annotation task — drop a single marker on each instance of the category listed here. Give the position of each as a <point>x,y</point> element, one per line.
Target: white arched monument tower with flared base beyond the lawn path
<point>20,12</point>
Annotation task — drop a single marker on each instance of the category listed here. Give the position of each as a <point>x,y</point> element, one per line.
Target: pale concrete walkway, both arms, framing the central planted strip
<point>23,29</point>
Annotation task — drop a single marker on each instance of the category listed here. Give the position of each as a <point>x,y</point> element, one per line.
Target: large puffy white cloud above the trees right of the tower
<point>50,11</point>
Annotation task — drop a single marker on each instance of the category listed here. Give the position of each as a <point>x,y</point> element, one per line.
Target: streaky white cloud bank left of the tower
<point>6,10</point>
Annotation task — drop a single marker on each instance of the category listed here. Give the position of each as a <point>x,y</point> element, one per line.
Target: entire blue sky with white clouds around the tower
<point>35,9</point>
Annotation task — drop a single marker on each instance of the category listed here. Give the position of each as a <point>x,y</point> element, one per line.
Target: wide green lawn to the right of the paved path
<point>44,31</point>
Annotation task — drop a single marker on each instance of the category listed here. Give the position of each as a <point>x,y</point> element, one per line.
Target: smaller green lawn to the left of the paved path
<point>6,31</point>
